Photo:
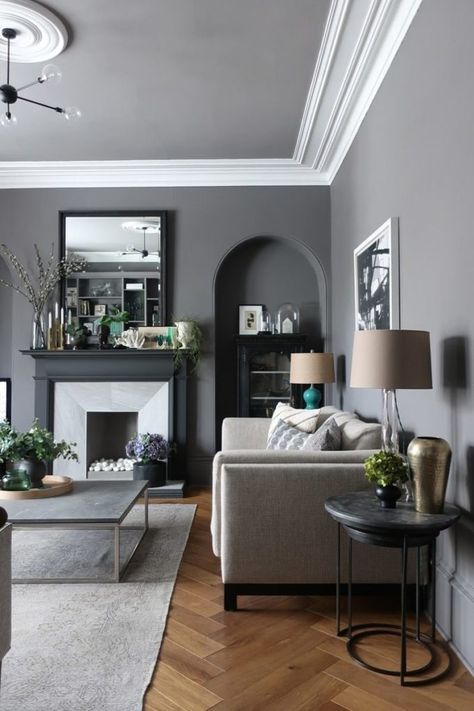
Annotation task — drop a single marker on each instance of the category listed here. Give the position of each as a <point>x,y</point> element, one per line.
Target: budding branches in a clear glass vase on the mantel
<point>38,288</point>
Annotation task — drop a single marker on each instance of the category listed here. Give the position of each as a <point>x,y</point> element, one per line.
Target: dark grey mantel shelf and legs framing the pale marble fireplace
<point>115,366</point>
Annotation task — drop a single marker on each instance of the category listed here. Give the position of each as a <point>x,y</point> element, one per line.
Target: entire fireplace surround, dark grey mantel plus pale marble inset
<point>68,384</point>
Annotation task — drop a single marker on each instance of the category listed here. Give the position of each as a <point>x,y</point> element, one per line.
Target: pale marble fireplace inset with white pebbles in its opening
<point>101,417</point>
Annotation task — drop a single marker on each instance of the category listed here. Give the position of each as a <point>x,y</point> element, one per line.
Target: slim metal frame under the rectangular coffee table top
<point>115,527</point>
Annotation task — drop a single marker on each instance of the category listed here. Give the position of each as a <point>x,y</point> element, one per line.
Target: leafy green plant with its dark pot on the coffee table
<point>31,450</point>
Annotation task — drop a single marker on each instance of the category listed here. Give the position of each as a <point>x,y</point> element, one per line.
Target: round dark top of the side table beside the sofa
<point>362,510</point>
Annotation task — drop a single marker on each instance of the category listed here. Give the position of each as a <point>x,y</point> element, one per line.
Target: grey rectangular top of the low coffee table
<point>88,502</point>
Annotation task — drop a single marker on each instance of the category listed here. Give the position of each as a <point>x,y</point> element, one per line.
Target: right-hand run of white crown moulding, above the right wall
<point>366,40</point>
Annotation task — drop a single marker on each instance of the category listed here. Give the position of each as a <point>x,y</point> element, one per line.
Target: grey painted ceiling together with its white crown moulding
<point>203,92</point>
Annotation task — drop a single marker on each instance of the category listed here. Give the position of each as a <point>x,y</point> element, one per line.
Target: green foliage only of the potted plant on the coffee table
<point>36,443</point>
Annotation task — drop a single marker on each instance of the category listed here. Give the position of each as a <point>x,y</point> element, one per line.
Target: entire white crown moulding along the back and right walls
<point>359,43</point>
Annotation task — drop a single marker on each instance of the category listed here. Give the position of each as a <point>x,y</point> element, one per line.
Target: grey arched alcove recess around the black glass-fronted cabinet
<point>265,270</point>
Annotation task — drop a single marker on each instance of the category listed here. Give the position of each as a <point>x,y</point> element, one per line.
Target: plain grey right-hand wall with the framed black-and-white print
<point>412,158</point>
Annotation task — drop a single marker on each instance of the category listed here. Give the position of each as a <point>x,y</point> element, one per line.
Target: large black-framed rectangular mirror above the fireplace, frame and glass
<point>126,266</point>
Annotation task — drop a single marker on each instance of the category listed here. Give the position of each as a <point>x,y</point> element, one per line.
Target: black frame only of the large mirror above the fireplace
<point>162,214</point>
